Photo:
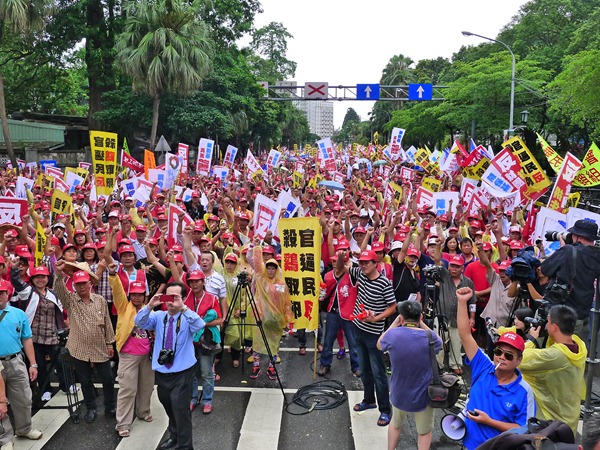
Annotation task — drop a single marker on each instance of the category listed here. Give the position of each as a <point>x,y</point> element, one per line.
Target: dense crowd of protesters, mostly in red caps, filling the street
<point>106,266</point>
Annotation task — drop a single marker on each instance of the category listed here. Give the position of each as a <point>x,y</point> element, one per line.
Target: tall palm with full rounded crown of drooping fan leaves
<point>165,46</point>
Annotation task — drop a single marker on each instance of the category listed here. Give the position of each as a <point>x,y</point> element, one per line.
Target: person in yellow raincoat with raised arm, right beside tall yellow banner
<point>273,303</point>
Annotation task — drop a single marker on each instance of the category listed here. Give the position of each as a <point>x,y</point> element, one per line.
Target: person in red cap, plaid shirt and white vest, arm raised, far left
<point>45,314</point>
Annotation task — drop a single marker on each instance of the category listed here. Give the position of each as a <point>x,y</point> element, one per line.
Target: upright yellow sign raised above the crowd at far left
<point>104,160</point>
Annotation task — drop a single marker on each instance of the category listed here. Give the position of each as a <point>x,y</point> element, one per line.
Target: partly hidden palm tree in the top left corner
<point>20,17</point>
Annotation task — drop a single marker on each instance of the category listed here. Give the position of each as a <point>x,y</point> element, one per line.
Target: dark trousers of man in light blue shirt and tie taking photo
<point>175,395</point>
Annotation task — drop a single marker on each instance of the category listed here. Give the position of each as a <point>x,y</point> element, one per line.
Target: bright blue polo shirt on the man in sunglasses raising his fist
<point>512,402</point>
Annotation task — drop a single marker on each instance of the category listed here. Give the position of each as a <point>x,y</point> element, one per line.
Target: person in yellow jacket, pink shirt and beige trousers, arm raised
<point>136,377</point>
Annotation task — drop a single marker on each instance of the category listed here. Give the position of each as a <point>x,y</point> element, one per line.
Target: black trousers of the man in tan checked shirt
<point>85,373</point>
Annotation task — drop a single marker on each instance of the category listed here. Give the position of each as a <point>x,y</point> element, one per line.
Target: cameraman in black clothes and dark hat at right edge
<point>580,274</point>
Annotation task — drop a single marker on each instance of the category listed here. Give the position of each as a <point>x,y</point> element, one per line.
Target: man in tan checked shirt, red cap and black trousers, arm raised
<point>91,338</point>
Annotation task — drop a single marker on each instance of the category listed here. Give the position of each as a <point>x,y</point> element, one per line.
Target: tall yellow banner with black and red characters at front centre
<point>301,265</point>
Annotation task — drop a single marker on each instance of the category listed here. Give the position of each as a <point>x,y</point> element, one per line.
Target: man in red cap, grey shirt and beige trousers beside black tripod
<point>452,279</point>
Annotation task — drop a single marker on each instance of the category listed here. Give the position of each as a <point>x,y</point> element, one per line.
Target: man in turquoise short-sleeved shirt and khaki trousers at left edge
<point>15,337</point>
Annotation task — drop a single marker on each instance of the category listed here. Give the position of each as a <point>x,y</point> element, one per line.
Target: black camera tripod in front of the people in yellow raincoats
<point>242,286</point>
